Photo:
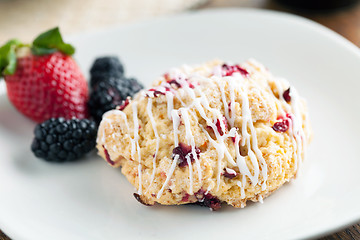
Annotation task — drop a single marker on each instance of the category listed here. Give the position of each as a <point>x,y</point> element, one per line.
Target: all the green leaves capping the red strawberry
<point>46,43</point>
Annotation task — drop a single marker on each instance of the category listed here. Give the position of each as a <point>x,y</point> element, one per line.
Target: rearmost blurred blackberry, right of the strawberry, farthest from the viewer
<point>104,68</point>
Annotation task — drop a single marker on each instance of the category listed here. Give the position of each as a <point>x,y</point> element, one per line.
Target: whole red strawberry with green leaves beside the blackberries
<point>43,81</point>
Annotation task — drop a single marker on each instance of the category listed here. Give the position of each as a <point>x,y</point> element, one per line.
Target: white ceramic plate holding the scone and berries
<point>90,200</point>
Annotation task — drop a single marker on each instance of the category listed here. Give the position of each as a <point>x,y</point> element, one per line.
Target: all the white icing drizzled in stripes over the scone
<point>246,136</point>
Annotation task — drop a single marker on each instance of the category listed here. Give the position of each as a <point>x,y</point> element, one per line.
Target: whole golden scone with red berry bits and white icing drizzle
<point>208,134</point>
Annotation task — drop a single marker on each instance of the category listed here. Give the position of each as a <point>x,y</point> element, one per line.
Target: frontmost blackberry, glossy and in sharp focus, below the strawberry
<point>60,140</point>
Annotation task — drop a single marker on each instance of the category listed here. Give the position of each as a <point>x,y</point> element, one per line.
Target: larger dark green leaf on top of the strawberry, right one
<point>52,41</point>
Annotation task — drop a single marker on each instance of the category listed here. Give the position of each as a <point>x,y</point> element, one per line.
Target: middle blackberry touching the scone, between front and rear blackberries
<point>109,94</point>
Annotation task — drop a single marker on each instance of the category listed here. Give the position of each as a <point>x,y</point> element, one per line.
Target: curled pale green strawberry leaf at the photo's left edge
<point>8,57</point>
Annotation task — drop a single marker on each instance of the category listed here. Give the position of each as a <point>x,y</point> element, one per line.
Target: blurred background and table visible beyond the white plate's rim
<point>24,19</point>
